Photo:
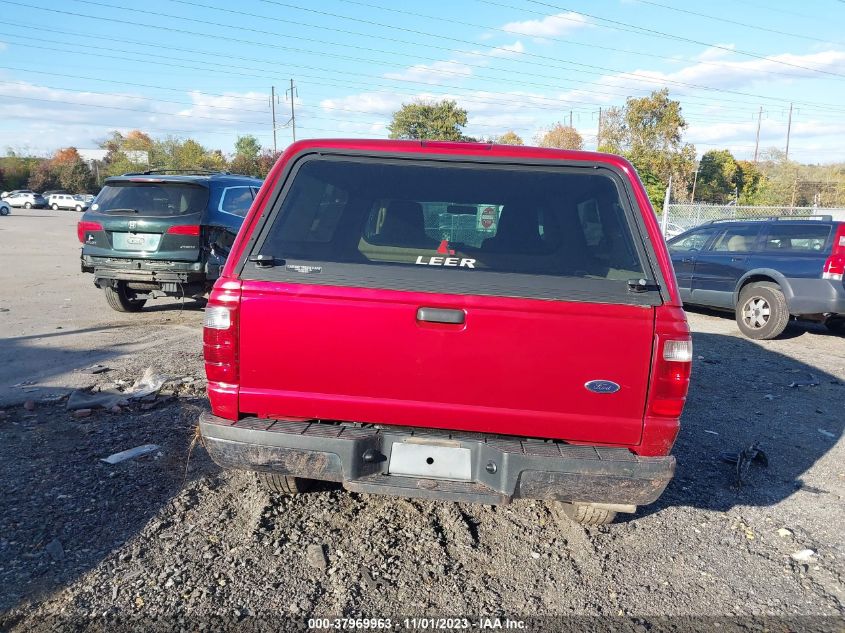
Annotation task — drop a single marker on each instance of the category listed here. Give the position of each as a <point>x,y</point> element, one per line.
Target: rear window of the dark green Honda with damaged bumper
<point>151,198</point>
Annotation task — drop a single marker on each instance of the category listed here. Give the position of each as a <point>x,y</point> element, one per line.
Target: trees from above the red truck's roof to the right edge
<point>649,131</point>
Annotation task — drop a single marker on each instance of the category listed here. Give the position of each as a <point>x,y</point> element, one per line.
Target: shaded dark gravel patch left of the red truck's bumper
<point>65,510</point>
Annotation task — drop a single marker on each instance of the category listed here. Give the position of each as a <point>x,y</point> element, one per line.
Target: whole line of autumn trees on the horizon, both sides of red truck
<point>648,131</point>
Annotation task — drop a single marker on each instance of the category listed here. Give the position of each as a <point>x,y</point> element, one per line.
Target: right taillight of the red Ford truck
<point>670,380</point>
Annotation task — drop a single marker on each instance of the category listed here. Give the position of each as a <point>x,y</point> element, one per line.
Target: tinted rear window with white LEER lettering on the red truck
<point>529,220</point>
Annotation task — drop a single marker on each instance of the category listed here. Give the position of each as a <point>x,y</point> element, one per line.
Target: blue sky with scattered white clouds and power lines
<point>72,70</point>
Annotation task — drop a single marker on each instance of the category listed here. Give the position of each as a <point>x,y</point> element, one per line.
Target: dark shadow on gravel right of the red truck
<point>740,395</point>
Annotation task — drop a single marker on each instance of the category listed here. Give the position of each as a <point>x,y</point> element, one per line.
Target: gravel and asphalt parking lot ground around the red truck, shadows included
<point>168,537</point>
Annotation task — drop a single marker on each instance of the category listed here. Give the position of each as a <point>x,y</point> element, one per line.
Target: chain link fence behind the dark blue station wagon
<point>683,216</point>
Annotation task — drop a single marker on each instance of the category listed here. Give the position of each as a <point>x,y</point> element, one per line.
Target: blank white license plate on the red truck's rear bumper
<point>430,460</point>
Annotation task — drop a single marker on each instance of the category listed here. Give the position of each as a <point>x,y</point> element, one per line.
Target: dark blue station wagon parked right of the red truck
<point>765,270</point>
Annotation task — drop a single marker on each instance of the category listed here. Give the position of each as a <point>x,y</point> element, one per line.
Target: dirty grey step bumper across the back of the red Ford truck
<point>499,468</point>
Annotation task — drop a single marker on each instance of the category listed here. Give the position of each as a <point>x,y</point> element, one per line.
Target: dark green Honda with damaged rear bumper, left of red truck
<point>162,233</point>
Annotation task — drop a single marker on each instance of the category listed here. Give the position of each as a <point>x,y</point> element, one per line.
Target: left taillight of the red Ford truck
<point>220,336</point>
